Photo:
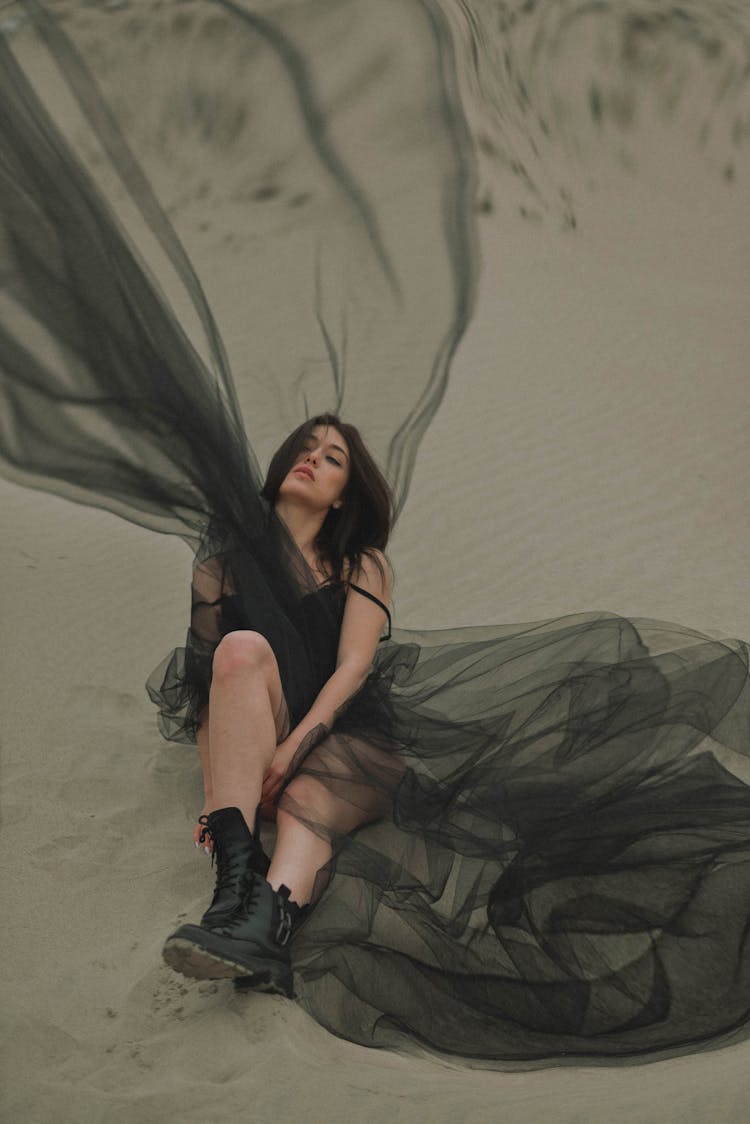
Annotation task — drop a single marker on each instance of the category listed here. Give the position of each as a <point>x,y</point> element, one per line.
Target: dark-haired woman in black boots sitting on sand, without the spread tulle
<point>333,503</point>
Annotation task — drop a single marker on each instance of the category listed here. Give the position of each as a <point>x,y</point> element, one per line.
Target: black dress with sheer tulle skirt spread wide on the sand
<point>539,848</point>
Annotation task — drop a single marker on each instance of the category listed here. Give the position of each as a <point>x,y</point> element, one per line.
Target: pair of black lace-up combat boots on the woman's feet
<point>246,931</point>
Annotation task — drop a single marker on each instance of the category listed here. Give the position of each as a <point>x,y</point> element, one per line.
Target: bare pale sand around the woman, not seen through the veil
<point>591,454</point>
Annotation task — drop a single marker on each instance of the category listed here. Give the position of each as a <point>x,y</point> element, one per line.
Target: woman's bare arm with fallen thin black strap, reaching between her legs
<point>360,632</point>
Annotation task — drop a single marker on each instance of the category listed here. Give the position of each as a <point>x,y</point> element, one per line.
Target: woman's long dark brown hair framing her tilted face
<point>363,523</point>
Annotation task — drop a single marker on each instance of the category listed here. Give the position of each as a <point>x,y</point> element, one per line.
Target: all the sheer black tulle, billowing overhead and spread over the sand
<point>557,851</point>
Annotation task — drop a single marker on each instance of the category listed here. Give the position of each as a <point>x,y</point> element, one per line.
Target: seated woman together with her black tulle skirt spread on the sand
<point>543,828</point>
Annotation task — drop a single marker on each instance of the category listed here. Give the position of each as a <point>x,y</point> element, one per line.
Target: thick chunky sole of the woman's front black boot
<point>193,956</point>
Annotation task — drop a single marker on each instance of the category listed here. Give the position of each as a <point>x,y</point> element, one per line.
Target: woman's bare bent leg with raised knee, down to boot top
<point>246,706</point>
